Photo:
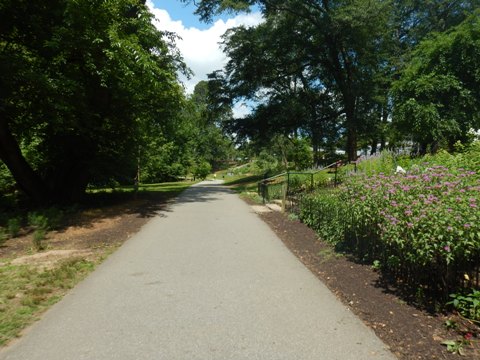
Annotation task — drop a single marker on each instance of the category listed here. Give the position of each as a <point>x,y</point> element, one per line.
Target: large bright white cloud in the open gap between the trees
<point>200,48</point>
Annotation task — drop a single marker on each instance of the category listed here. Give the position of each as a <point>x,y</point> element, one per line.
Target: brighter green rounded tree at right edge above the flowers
<point>437,97</point>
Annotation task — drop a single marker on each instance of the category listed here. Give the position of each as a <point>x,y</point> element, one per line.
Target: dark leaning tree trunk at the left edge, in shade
<point>27,179</point>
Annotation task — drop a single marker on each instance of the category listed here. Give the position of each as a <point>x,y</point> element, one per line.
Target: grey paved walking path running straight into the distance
<point>206,279</point>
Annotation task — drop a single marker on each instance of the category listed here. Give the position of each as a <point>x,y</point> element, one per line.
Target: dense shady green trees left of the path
<point>89,95</point>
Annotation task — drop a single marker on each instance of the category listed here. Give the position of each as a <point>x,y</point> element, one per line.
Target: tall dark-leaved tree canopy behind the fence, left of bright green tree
<point>308,50</point>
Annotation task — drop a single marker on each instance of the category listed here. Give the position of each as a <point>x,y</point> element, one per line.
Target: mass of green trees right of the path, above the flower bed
<point>353,74</point>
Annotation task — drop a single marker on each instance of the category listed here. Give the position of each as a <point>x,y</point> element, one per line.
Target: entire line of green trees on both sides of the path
<point>89,91</point>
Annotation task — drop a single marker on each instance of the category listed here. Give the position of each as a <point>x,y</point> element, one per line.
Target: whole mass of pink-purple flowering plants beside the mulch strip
<point>422,226</point>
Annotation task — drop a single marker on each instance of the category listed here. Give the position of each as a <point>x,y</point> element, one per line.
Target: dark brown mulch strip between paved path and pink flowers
<point>410,332</point>
